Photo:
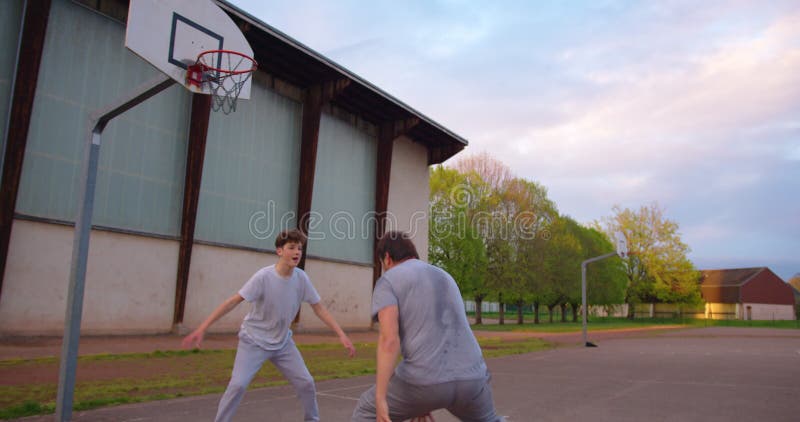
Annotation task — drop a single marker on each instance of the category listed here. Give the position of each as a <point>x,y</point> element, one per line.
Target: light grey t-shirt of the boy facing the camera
<point>275,301</point>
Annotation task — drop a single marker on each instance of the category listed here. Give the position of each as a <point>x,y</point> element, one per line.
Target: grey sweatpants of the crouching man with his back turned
<point>469,400</point>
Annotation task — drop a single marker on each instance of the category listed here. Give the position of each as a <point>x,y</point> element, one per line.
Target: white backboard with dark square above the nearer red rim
<point>170,34</point>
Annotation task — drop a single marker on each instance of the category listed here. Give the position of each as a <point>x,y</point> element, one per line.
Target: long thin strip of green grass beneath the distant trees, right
<point>600,324</point>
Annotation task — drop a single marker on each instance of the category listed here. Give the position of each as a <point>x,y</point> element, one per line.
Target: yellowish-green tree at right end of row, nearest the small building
<point>657,267</point>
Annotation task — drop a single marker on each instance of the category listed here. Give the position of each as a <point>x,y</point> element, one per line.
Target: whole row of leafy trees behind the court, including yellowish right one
<point>503,240</point>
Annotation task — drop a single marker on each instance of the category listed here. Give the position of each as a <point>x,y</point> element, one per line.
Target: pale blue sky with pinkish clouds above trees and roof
<point>694,105</point>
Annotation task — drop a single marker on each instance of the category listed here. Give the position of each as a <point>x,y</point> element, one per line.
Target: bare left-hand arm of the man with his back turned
<point>388,352</point>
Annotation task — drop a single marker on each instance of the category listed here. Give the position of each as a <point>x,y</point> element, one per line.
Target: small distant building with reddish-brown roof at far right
<point>746,293</point>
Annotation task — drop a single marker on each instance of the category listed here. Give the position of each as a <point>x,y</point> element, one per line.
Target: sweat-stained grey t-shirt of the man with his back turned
<point>436,340</point>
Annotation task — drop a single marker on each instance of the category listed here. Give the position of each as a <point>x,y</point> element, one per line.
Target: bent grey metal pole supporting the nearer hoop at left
<point>80,245</point>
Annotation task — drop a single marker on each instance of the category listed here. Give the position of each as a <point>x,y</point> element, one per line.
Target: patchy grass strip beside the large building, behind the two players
<point>141,377</point>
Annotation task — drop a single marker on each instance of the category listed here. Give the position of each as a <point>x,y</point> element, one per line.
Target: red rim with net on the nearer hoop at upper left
<point>223,73</point>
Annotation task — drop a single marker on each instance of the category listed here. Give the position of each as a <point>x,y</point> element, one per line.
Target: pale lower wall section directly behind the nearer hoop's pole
<point>130,282</point>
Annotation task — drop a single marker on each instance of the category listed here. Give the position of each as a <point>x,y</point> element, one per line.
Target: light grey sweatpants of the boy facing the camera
<point>249,359</point>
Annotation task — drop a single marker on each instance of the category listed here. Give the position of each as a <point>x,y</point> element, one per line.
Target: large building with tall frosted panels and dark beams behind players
<point>188,201</point>
